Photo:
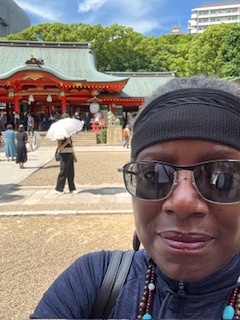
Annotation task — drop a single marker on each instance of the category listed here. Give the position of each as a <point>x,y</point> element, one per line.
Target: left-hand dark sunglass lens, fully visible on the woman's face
<point>148,180</point>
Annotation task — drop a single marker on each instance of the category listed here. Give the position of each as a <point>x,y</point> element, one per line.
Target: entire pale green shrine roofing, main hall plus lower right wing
<point>74,62</point>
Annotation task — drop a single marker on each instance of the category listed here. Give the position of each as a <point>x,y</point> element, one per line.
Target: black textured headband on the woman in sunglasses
<point>199,113</point>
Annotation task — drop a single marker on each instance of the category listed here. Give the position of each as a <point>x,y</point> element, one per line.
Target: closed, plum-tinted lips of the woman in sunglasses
<point>186,242</point>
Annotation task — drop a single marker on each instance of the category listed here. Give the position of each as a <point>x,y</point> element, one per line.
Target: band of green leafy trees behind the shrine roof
<point>214,52</point>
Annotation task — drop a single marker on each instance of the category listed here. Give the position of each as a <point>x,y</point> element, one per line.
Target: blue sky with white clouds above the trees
<point>149,17</point>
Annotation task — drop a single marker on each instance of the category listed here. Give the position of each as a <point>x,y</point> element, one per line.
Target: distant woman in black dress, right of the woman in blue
<point>22,138</point>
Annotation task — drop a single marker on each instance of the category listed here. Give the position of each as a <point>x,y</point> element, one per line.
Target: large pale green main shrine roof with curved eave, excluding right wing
<point>68,61</point>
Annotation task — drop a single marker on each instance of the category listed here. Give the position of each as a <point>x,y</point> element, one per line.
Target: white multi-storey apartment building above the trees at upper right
<point>213,13</point>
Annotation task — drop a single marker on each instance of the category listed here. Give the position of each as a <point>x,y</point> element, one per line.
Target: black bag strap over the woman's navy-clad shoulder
<point>113,282</point>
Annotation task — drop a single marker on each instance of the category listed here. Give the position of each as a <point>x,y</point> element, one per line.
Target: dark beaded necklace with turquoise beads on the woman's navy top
<point>230,312</point>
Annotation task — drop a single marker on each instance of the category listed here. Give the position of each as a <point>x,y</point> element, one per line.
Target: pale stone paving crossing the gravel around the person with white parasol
<point>18,200</point>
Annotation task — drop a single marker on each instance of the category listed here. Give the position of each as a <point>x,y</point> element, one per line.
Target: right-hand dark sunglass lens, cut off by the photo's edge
<point>219,181</point>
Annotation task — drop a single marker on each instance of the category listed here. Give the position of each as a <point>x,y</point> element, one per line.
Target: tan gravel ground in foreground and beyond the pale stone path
<point>36,249</point>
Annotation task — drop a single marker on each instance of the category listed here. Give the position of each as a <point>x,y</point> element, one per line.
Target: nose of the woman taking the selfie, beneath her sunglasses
<point>184,199</point>
